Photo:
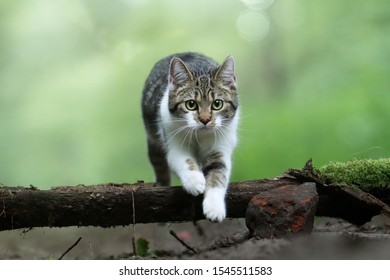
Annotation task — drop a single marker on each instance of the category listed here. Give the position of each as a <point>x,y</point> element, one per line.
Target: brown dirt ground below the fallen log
<point>331,239</point>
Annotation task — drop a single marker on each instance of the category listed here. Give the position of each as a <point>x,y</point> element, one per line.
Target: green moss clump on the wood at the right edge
<point>366,173</point>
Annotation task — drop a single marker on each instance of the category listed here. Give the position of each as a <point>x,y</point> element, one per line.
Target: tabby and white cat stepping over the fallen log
<point>190,112</point>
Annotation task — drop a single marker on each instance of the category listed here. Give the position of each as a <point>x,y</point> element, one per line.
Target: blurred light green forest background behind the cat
<point>314,82</point>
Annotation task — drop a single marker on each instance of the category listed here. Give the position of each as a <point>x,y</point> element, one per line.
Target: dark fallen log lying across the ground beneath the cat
<point>108,205</point>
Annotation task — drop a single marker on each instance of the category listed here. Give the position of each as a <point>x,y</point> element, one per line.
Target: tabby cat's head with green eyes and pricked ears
<point>204,100</point>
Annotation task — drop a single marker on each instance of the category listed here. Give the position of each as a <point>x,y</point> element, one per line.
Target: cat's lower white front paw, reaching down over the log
<point>214,204</point>
